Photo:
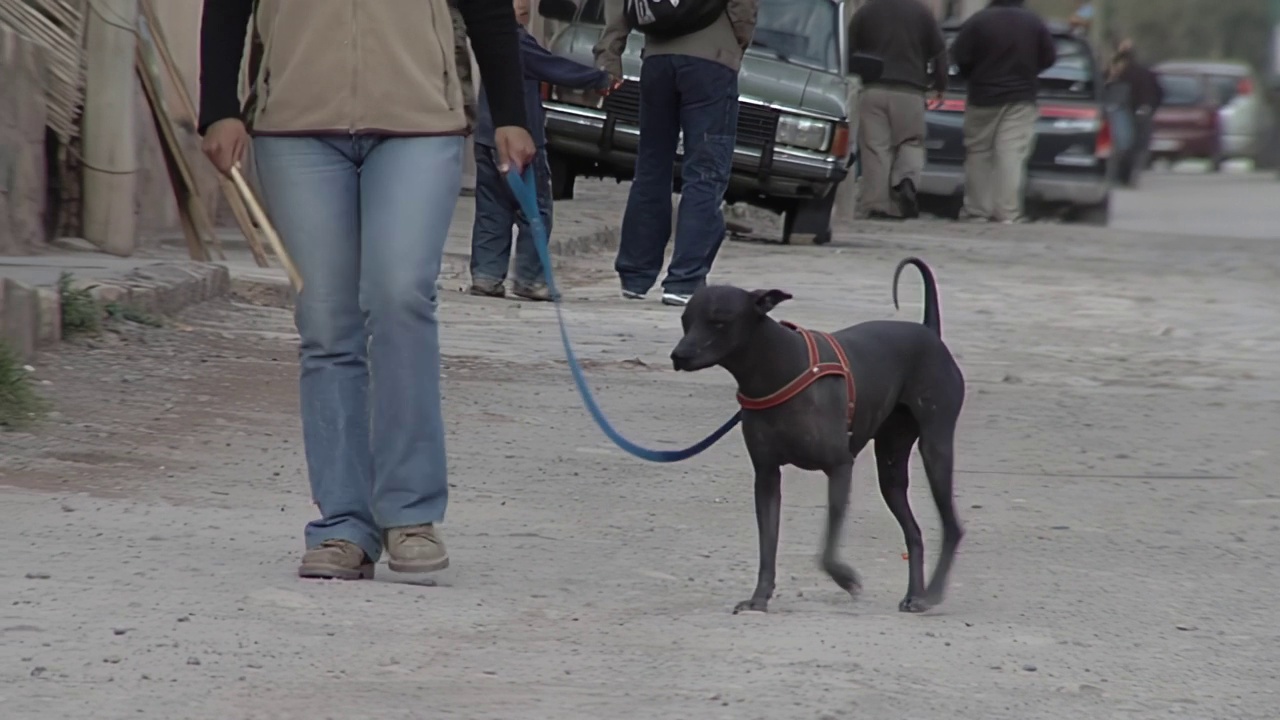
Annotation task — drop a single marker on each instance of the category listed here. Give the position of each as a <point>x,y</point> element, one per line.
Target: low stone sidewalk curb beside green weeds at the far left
<point>31,317</point>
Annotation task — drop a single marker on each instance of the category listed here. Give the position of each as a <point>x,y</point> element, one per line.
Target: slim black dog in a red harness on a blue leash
<point>803,407</point>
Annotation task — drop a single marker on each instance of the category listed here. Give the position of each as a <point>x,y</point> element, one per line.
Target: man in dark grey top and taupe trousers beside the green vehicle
<point>892,111</point>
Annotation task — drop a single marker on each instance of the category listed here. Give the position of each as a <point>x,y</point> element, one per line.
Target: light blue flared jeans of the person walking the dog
<point>365,221</point>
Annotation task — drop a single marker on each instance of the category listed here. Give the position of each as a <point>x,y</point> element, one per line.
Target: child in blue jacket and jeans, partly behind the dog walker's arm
<point>497,208</point>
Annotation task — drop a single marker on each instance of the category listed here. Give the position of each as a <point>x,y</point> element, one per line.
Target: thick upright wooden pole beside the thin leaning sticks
<point>109,138</point>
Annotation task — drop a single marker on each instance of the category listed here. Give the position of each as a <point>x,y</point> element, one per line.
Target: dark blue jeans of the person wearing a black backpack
<point>700,98</point>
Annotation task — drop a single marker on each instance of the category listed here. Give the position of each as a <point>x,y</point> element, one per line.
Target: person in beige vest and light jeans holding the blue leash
<point>358,139</point>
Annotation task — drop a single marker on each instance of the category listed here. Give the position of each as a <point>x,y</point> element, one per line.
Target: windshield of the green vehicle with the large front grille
<point>801,31</point>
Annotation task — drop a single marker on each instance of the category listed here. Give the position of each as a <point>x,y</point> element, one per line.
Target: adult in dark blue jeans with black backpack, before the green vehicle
<point>688,86</point>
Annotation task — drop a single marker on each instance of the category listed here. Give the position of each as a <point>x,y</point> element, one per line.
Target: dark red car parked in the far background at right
<point>1188,125</point>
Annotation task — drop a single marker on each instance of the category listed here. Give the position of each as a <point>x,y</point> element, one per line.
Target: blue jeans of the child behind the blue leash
<point>497,211</point>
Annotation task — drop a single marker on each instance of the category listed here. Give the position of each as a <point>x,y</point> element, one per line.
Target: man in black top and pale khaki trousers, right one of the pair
<point>1000,52</point>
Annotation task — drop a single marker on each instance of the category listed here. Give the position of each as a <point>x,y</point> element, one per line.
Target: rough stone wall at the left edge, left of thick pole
<point>22,144</point>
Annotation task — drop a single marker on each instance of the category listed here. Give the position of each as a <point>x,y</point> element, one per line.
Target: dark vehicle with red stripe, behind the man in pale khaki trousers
<point>1069,172</point>
